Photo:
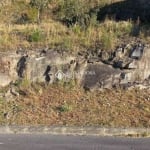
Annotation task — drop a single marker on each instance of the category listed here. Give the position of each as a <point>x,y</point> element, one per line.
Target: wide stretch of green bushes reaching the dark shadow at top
<point>81,12</point>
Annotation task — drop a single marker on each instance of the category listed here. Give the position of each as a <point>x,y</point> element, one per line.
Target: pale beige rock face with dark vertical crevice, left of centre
<point>45,68</point>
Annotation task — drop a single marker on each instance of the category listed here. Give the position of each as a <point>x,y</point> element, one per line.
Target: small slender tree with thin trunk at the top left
<point>40,5</point>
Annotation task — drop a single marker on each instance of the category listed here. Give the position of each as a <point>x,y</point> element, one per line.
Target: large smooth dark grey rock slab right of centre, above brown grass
<point>97,76</point>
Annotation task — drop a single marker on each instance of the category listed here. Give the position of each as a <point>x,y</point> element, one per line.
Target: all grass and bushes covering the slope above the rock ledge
<point>65,24</point>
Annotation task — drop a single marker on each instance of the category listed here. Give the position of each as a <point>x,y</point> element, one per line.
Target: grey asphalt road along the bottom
<point>49,142</point>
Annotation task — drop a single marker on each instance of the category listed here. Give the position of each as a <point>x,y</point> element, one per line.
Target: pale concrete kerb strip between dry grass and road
<point>84,131</point>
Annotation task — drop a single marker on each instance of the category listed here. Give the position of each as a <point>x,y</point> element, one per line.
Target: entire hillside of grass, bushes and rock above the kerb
<point>103,44</point>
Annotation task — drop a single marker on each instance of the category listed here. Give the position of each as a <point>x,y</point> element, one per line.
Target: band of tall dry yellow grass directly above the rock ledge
<point>54,34</point>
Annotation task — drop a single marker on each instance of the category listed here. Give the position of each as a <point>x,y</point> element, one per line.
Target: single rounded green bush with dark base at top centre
<point>73,12</point>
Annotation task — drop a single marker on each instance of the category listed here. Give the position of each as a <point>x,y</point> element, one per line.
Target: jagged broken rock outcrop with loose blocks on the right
<point>127,66</point>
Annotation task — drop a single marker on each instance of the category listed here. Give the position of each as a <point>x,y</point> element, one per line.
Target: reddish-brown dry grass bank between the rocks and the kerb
<point>57,105</point>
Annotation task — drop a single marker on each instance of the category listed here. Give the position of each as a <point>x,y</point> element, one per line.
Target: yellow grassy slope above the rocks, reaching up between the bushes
<point>52,33</point>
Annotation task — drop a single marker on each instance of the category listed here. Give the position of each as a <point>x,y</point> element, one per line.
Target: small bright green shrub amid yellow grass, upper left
<point>36,36</point>
